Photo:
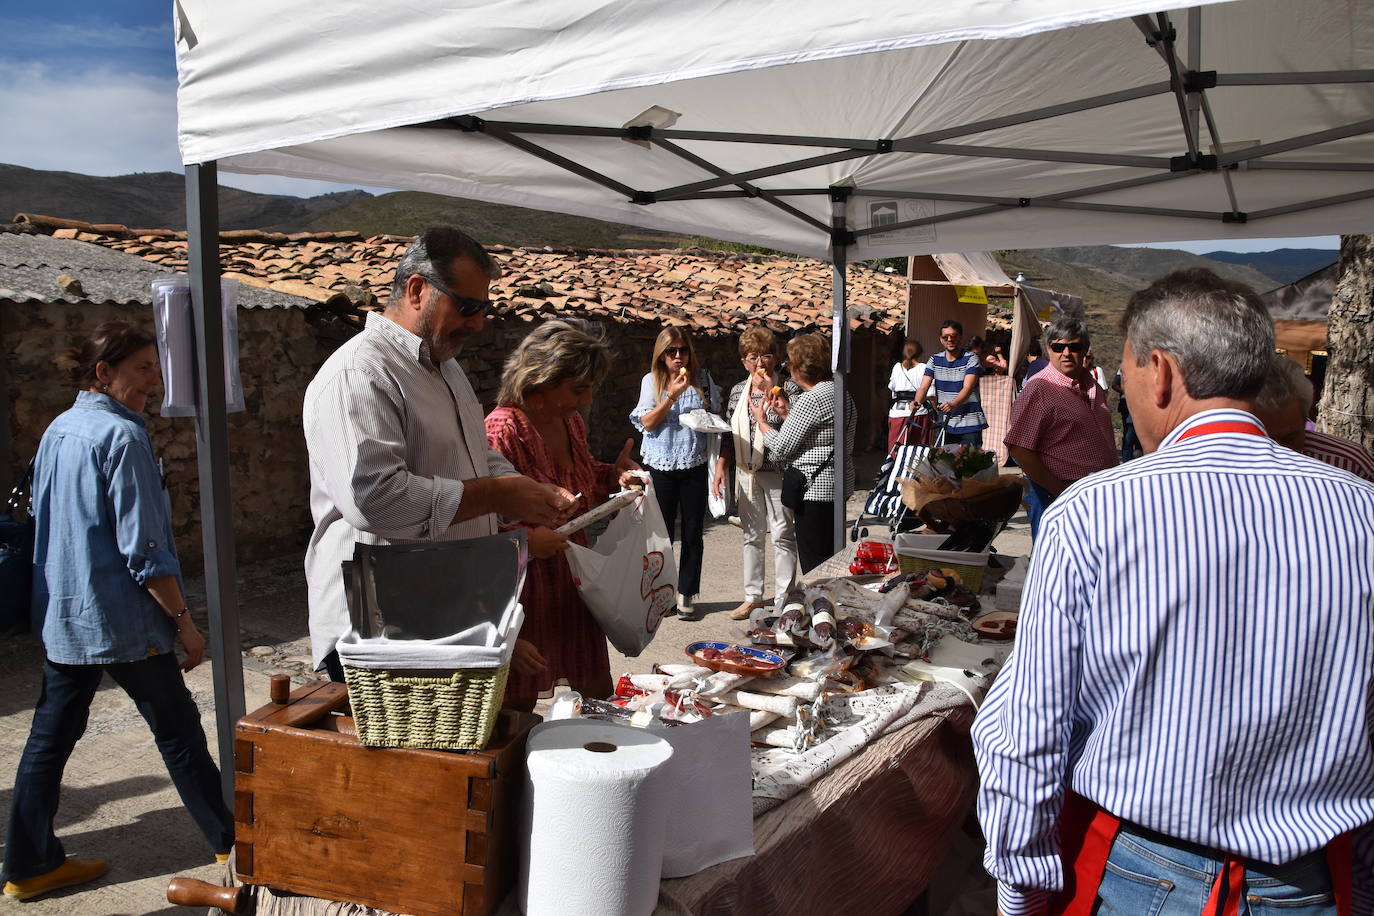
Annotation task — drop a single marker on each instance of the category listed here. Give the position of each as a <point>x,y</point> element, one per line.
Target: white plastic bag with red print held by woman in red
<point>630,576</point>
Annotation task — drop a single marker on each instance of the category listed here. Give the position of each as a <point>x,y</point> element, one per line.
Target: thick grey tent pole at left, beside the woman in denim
<point>212,447</point>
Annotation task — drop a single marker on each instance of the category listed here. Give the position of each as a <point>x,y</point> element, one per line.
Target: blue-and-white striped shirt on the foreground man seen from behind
<point>1195,657</point>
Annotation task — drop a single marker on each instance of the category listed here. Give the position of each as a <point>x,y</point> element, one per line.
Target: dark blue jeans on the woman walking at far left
<point>156,687</point>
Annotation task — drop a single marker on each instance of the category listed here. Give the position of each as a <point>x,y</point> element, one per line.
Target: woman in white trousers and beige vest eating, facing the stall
<point>758,474</point>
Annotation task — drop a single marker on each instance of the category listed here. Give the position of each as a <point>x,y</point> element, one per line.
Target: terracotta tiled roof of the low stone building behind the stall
<point>712,293</point>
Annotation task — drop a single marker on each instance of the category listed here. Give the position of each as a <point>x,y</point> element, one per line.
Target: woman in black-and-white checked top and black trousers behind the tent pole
<point>807,442</point>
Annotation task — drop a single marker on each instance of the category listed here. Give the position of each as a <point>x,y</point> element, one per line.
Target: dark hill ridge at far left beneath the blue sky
<point>152,201</point>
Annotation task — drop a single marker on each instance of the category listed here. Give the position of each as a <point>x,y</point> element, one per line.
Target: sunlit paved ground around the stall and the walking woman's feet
<point>117,801</point>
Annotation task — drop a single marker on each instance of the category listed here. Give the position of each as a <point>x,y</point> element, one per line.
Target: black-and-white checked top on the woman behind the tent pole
<point>807,442</point>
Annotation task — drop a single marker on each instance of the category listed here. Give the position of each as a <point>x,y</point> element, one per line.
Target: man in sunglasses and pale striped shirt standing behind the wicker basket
<point>396,435</point>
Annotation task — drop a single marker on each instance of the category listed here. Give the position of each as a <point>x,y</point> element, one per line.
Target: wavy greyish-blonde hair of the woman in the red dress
<point>553,354</point>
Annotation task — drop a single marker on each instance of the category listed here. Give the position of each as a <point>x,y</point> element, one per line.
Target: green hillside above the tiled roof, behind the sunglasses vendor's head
<point>410,212</point>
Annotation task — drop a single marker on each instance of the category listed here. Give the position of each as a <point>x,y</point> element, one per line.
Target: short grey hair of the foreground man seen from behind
<point>1218,330</point>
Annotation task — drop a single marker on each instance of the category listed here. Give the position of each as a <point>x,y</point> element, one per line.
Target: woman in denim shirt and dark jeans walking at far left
<point>106,586</point>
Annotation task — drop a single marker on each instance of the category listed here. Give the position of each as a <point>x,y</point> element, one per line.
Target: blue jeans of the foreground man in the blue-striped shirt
<point>1149,878</point>
